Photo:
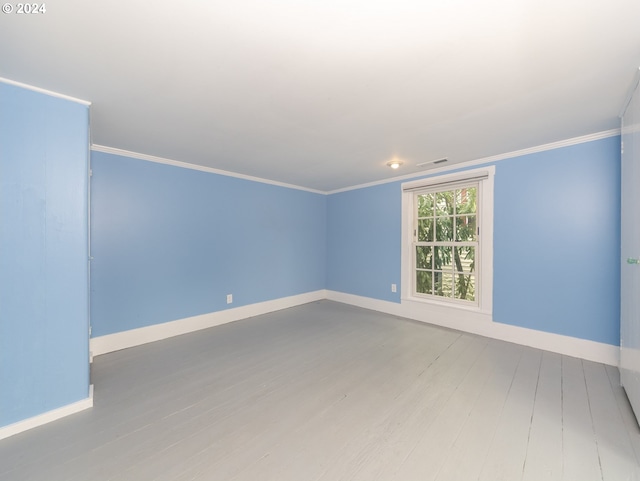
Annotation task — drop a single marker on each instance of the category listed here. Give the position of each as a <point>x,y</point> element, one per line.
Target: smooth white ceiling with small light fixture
<point>321,93</point>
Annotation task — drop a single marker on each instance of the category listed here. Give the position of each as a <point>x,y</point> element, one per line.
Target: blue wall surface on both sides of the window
<point>556,241</point>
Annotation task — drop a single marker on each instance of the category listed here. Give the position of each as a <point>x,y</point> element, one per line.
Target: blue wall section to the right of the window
<point>557,215</point>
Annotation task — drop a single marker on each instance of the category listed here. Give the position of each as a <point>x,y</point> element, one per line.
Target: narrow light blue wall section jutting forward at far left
<point>44,340</point>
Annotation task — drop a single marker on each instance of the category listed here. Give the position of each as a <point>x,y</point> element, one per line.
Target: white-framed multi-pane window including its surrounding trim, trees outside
<point>448,240</point>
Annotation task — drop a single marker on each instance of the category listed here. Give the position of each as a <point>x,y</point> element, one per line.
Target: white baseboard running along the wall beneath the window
<point>482,325</point>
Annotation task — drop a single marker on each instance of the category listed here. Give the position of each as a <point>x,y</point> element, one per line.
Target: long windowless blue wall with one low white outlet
<point>170,243</point>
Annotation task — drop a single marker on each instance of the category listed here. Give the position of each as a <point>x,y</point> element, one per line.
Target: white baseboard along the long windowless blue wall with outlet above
<point>143,335</point>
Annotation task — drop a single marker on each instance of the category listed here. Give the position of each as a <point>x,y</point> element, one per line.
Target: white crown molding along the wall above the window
<point>486,160</point>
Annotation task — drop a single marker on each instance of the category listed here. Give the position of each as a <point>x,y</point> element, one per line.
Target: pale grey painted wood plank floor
<point>327,392</point>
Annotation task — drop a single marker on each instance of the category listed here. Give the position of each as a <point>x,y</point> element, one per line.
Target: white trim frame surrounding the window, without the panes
<point>485,223</point>
